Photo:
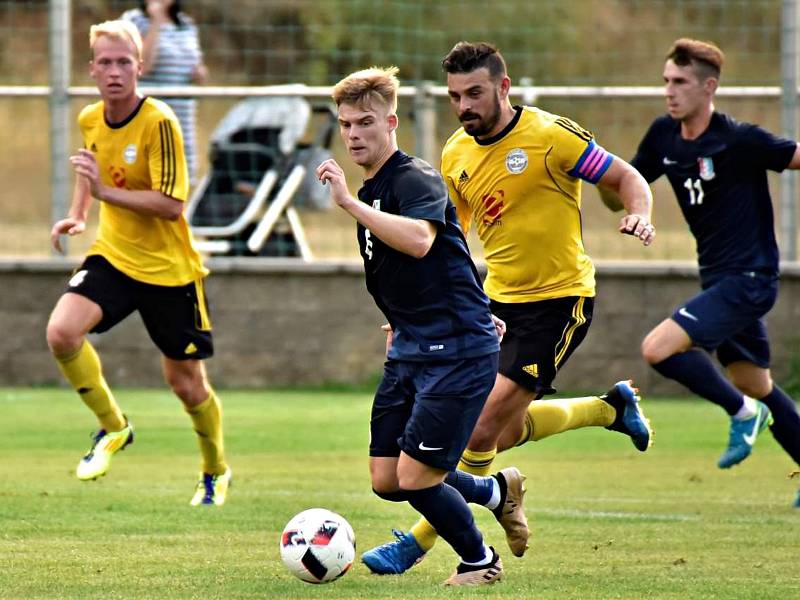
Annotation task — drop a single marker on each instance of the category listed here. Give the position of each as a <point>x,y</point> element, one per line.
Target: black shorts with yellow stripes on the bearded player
<point>540,337</point>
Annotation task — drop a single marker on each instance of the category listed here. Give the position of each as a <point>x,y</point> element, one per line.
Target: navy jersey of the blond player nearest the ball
<point>435,304</point>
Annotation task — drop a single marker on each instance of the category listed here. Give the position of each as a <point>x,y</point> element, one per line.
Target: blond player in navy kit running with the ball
<point>443,351</point>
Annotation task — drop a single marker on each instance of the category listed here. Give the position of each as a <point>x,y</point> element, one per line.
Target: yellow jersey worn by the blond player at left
<point>143,152</point>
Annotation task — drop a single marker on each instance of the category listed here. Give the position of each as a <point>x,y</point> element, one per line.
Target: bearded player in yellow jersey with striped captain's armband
<point>516,173</point>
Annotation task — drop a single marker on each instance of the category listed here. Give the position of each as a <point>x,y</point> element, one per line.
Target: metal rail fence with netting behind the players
<point>597,61</point>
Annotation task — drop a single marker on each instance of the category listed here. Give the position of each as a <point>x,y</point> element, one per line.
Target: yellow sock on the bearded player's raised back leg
<point>549,417</point>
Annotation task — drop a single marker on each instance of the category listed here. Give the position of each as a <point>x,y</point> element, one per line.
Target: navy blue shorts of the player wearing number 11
<point>728,317</point>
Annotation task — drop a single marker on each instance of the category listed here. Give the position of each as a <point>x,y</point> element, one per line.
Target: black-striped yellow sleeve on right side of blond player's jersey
<point>168,171</point>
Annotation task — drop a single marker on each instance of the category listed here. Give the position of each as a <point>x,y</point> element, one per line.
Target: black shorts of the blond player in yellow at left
<point>176,318</point>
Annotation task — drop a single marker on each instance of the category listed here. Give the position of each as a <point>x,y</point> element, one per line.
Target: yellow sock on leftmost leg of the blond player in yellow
<point>84,372</point>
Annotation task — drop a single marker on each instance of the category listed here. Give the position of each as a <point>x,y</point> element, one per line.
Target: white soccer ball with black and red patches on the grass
<point>318,545</point>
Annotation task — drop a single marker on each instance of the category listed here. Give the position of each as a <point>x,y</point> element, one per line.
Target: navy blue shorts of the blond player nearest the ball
<point>429,409</point>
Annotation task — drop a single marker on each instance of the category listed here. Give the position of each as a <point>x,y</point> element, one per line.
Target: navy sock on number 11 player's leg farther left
<point>695,370</point>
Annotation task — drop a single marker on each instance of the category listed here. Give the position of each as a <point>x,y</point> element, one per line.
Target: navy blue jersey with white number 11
<point>720,180</point>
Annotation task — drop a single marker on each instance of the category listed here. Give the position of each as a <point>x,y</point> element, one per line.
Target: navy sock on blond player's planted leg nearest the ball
<point>452,519</point>
